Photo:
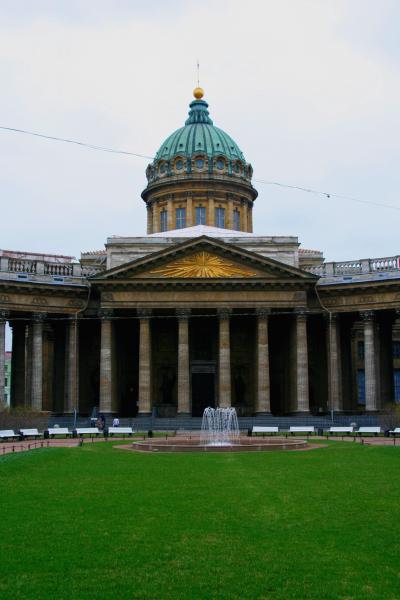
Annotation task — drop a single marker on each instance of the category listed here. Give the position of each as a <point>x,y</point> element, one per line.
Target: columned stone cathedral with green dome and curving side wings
<point>201,311</point>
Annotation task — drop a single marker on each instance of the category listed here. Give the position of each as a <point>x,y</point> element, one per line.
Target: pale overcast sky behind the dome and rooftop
<point>309,89</point>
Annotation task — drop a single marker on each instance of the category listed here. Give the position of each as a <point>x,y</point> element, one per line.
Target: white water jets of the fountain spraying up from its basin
<point>219,427</point>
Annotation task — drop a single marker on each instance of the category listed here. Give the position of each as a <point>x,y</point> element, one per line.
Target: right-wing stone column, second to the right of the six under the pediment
<point>370,363</point>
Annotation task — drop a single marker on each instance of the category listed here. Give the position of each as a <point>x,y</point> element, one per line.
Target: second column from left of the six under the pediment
<point>144,363</point>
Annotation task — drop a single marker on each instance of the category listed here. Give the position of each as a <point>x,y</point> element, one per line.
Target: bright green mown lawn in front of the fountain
<point>96,522</point>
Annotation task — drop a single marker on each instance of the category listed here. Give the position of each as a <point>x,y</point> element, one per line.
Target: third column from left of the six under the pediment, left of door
<point>183,363</point>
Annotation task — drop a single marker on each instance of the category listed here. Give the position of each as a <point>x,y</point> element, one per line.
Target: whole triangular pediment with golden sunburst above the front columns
<point>204,258</point>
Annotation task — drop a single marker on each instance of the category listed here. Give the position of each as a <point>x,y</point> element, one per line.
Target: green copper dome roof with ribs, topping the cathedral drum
<point>199,136</point>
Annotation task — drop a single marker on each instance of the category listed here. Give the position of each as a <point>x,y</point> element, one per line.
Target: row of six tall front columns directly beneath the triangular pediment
<point>262,401</point>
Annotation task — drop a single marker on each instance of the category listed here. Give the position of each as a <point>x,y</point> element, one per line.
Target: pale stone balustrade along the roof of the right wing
<point>356,267</point>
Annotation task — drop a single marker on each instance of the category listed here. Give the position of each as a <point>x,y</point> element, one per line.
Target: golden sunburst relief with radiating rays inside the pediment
<point>202,264</point>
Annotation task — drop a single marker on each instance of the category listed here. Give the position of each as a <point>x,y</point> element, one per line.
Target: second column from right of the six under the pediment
<point>263,405</point>
